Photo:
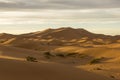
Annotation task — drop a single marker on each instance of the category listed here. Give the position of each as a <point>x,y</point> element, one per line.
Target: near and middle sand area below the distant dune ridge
<point>72,63</point>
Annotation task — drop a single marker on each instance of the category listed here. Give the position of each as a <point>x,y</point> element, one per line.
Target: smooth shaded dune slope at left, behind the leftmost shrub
<point>20,53</point>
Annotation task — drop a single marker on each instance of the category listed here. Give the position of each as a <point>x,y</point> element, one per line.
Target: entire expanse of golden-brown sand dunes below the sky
<point>62,54</point>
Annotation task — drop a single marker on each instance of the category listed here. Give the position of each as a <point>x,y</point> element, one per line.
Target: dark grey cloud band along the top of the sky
<point>58,4</point>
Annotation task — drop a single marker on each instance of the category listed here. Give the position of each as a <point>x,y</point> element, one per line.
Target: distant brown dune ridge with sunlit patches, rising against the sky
<point>60,36</point>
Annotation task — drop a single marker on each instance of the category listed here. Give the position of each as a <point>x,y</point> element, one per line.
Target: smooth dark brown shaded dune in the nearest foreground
<point>19,70</point>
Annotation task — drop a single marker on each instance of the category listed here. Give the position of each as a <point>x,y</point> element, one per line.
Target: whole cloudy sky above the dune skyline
<point>24,16</point>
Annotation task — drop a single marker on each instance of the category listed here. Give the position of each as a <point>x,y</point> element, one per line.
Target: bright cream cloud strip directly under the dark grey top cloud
<point>63,14</point>
